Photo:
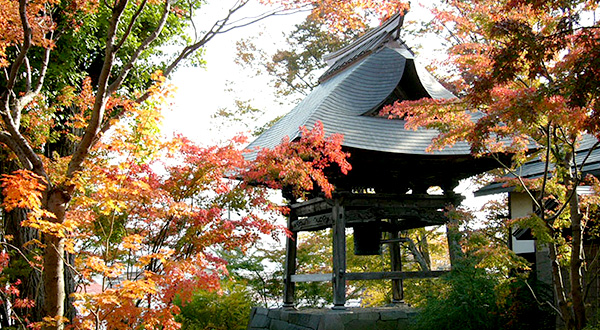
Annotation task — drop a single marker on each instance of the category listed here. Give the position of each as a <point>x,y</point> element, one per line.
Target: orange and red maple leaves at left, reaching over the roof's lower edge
<point>148,215</point>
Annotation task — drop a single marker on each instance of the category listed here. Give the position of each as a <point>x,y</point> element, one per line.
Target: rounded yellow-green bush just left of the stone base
<point>213,310</point>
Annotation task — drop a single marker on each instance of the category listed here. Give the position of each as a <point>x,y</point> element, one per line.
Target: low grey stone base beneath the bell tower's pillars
<point>383,318</point>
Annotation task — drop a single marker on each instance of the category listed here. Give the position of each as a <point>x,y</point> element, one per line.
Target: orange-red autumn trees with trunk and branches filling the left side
<point>92,194</point>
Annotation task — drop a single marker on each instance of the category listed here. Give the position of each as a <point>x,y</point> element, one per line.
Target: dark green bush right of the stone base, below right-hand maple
<point>471,297</point>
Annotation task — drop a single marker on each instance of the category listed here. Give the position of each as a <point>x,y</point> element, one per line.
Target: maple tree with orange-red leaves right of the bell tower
<point>525,73</point>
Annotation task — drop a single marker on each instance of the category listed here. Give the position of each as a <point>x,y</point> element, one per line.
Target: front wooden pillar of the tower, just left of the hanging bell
<point>339,256</point>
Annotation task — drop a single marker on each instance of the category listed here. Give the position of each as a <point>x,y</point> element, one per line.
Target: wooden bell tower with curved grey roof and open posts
<point>392,171</point>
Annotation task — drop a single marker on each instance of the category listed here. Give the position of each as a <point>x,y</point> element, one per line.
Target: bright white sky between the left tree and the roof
<point>202,91</point>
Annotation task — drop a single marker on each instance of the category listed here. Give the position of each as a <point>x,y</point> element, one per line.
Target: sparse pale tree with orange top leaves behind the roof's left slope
<point>294,69</point>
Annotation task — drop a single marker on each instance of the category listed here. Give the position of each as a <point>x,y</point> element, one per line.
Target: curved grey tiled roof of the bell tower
<point>375,70</point>
